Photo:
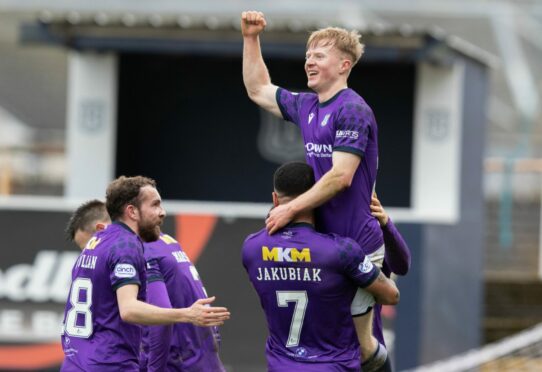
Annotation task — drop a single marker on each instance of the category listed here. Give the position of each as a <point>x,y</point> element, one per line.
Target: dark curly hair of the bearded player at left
<point>125,191</point>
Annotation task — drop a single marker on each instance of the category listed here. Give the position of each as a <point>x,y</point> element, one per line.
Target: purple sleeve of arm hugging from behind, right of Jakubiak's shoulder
<point>397,254</point>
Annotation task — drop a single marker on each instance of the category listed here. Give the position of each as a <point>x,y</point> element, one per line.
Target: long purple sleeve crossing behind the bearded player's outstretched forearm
<point>159,336</point>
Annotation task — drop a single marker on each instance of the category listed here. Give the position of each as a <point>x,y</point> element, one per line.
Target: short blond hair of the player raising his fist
<point>347,42</point>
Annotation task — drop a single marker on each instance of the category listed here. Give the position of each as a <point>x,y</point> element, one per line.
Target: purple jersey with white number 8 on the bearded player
<point>94,336</point>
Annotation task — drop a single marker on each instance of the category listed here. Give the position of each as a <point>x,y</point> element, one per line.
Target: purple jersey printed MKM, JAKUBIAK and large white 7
<point>306,282</point>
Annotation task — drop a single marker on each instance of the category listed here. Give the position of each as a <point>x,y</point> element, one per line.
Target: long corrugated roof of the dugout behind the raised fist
<point>211,33</point>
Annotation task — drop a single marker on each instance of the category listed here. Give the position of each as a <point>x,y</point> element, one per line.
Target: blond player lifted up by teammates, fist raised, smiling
<point>341,144</point>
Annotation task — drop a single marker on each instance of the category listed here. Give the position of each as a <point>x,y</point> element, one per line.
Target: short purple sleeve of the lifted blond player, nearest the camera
<point>353,126</point>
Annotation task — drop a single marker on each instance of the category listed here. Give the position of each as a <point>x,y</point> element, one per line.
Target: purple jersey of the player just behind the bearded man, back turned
<point>192,348</point>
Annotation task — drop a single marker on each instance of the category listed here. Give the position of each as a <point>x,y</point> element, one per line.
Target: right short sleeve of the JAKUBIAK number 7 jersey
<point>355,264</point>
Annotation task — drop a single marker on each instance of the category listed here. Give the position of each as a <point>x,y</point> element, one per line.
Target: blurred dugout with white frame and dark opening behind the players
<point>162,95</point>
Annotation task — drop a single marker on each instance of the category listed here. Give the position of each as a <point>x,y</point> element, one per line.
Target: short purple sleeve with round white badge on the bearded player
<point>126,263</point>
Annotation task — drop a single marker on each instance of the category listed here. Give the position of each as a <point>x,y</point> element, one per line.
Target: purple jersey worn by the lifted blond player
<point>343,123</point>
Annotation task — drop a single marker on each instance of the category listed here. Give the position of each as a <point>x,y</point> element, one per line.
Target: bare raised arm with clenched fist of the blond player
<point>255,75</point>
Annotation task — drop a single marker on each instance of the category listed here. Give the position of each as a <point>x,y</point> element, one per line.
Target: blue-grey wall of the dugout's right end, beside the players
<point>445,287</point>
